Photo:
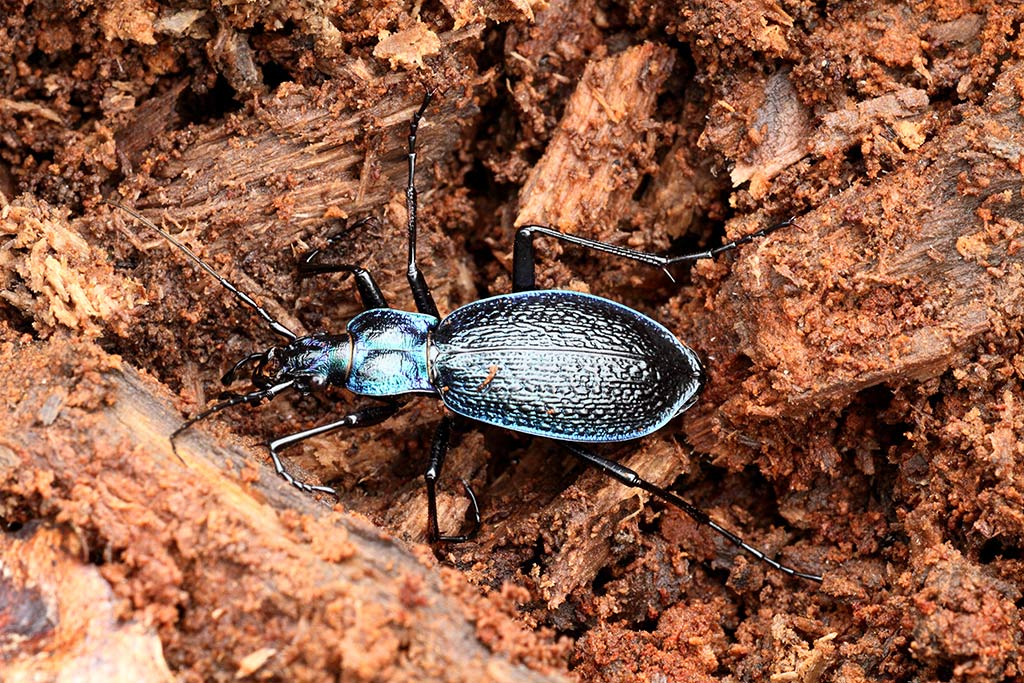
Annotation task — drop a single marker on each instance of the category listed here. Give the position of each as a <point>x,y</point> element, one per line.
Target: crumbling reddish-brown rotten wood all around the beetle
<point>863,415</point>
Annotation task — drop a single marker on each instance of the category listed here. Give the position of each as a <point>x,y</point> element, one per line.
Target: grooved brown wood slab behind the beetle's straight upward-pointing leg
<point>309,158</point>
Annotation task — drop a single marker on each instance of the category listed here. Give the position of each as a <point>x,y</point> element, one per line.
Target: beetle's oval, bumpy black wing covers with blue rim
<point>564,365</point>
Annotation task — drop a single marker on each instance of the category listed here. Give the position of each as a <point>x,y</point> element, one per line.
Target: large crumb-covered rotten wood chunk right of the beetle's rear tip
<point>879,286</point>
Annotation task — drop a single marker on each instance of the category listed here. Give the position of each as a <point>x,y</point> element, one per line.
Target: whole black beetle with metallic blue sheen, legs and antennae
<point>571,367</point>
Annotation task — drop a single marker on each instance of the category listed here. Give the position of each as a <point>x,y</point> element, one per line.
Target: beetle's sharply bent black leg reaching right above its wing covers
<point>524,257</point>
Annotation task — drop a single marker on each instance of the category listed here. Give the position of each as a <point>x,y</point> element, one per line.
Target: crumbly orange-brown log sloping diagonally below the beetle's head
<point>263,571</point>
